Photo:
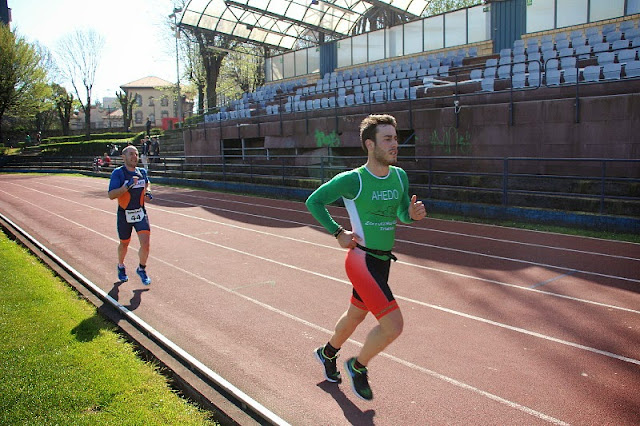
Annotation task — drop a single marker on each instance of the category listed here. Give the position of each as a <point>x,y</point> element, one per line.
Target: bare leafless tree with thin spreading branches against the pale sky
<point>80,53</point>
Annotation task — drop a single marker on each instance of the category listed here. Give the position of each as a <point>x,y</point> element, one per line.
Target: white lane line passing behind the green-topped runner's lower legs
<point>314,326</point>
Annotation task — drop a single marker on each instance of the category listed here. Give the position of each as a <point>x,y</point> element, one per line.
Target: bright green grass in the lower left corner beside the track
<point>62,363</point>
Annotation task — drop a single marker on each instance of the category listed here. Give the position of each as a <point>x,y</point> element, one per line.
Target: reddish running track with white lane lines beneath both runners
<point>502,326</point>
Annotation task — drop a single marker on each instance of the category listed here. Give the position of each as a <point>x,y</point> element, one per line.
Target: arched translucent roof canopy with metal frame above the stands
<point>280,24</point>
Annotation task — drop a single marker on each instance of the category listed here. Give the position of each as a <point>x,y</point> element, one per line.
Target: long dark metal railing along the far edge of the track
<point>594,185</point>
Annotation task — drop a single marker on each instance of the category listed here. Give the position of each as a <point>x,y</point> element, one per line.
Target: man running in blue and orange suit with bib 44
<point>130,185</point>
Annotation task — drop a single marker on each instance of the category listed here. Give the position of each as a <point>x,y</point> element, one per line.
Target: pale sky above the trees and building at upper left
<point>125,56</point>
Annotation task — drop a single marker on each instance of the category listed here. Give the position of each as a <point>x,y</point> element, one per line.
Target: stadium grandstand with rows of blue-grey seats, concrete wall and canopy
<point>516,78</point>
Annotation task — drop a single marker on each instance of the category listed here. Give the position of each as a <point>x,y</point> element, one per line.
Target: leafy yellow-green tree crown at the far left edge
<point>23,82</point>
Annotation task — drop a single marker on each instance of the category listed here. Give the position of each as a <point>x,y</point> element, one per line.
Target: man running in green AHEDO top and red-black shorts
<point>375,195</point>
